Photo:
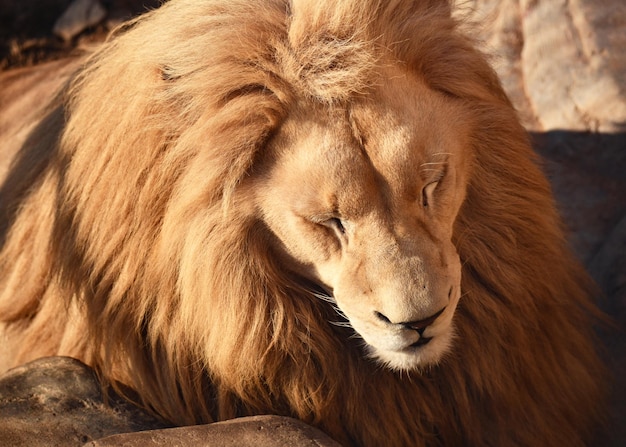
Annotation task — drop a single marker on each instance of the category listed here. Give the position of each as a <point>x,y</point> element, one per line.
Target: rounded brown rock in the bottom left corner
<point>57,401</point>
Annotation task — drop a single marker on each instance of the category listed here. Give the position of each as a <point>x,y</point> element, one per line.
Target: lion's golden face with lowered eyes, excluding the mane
<point>363,200</point>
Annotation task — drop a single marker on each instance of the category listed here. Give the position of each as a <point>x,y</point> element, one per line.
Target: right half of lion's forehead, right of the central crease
<point>407,124</point>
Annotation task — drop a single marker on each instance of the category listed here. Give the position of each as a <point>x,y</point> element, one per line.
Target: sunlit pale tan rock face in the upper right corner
<point>569,79</point>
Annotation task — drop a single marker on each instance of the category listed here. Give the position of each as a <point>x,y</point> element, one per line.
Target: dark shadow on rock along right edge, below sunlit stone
<point>588,175</point>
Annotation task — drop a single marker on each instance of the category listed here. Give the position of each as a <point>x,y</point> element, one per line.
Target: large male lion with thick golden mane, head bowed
<point>317,209</point>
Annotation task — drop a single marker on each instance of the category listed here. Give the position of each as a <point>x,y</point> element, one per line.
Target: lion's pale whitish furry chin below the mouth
<point>413,358</point>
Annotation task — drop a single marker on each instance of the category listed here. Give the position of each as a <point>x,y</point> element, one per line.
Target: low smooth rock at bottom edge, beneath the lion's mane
<point>257,431</point>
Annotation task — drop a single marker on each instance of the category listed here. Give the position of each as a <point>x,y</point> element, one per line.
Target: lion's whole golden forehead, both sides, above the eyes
<point>376,151</point>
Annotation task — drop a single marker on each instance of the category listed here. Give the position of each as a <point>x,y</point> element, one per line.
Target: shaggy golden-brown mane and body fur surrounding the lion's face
<point>129,238</point>
